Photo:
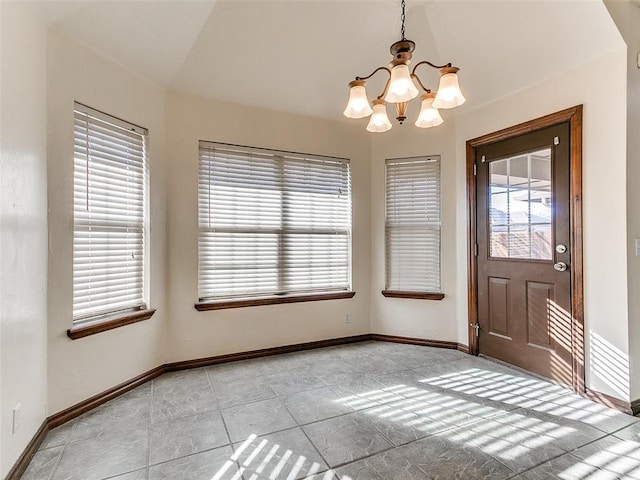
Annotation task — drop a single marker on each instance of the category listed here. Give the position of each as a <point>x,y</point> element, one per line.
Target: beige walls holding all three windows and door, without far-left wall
<point>191,334</point>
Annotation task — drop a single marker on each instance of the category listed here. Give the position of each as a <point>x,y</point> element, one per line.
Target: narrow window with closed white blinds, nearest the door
<point>412,225</point>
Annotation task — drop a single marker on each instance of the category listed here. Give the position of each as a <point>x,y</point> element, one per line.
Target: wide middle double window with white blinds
<point>271,223</point>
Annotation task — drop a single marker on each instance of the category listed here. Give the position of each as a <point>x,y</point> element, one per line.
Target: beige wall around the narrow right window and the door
<point>604,183</point>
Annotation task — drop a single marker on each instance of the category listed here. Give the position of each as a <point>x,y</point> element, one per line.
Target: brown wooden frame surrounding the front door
<point>572,116</point>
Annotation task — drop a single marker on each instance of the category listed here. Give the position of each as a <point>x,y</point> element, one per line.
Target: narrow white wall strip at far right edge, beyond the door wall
<point>627,17</point>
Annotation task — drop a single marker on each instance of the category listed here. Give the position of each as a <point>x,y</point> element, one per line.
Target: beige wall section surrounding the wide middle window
<point>194,334</point>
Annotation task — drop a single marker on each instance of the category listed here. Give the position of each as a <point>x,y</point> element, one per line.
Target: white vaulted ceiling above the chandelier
<point>299,55</point>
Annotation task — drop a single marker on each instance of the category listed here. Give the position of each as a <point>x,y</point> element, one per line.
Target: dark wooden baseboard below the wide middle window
<point>264,352</point>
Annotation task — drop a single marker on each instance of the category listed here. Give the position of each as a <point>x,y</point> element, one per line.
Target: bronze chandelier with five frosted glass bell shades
<point>401,88</point>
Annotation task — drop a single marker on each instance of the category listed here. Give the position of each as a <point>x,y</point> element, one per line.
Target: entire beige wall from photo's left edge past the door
<point>75,370</point>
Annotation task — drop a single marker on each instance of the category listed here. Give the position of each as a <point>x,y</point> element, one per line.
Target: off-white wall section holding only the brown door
<point>604,203</point>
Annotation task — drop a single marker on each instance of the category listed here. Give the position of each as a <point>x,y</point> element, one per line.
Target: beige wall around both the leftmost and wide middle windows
<point>81,368</point>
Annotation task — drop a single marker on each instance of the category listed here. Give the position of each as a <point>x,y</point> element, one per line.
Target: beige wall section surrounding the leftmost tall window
<point>78,369</point>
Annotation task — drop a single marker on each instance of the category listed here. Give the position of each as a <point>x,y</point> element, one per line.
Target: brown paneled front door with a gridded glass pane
<point>524,255</point>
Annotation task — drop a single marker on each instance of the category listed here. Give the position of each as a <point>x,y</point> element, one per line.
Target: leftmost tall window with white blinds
<point>109,216</point>
